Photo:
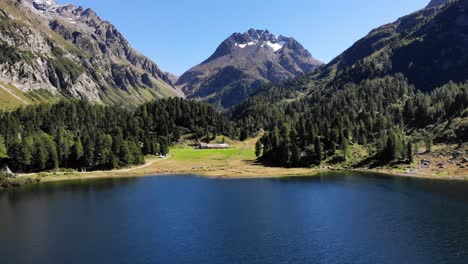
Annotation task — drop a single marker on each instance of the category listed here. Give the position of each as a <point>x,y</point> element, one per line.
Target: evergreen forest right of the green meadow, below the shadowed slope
<point>385,115</point>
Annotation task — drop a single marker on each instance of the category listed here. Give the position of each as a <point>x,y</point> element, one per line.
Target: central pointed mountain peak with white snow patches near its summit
<point>243,63</point>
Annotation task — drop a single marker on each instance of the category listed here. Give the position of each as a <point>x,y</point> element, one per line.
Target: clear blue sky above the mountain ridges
<point>178,34</point>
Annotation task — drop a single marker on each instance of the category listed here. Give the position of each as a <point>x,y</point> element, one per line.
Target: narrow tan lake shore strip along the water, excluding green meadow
<point>234,169</point>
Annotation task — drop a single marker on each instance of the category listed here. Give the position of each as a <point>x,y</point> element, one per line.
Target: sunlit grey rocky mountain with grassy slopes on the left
<point>54,51</point>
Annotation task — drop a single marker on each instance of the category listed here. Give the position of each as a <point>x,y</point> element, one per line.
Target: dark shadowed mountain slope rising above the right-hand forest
<point>429,47</point>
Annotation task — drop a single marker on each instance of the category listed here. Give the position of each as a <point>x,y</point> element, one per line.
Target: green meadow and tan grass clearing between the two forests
<point>236,162</point>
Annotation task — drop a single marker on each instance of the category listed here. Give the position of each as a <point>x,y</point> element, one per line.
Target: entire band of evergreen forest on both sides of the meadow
<point>386,116</point>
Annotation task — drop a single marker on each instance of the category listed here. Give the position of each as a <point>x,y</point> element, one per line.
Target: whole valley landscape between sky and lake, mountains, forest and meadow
<point>396,101</point>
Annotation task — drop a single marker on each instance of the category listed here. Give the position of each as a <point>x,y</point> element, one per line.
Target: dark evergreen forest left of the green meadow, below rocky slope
<point>82,135</point>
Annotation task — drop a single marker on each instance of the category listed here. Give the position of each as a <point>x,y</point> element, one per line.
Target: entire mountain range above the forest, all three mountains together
<point>51,51</point>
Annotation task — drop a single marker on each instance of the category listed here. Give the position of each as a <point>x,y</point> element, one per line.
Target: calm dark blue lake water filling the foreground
<point>183,219</point>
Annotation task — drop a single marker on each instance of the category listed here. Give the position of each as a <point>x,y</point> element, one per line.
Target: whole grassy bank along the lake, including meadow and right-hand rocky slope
<point>240,162</point>
